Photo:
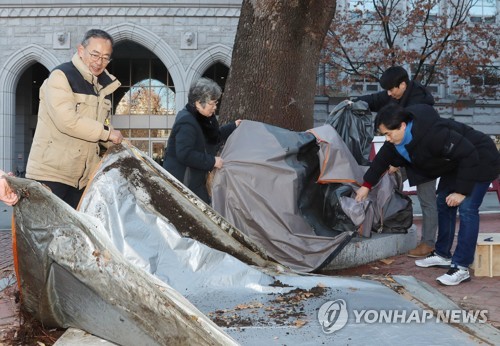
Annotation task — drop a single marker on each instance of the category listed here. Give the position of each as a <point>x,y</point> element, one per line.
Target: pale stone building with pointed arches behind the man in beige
<point>161,47</point>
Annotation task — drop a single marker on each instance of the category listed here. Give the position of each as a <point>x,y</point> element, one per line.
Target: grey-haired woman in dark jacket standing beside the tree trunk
<point>191,149</point>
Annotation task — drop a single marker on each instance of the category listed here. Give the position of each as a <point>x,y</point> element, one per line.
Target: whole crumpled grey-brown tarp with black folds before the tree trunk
<point>273,187</point>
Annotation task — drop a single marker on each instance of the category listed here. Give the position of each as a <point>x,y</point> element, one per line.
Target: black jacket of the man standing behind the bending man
<point>414,94</point>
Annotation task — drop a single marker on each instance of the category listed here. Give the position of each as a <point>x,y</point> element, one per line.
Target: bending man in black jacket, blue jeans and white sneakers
<point>466,161</point>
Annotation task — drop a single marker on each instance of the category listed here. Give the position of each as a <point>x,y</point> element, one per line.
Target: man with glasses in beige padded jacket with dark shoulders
<point>73,118</point>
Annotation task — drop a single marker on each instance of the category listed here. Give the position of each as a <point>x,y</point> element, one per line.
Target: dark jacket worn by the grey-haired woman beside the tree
<point>191,148</point>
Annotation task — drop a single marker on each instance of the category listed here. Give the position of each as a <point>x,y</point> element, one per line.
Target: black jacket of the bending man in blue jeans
<point>444,148</point>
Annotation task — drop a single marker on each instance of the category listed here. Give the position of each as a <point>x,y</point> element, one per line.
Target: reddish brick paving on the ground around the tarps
<point>478,294</point>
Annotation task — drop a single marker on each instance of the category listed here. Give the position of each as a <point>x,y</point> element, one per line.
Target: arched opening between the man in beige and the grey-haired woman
<point>144,104</point>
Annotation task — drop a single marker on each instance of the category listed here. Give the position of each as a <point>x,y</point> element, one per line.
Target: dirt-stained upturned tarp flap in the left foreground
<point>72,275</point>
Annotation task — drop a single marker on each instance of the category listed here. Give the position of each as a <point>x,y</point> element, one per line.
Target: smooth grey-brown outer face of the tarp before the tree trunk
<point>258,190</point>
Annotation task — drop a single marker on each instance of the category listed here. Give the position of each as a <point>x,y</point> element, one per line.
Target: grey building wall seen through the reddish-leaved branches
<point>481,112</point>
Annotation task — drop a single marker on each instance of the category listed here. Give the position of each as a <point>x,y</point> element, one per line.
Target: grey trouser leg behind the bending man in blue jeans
<point>426,194</point>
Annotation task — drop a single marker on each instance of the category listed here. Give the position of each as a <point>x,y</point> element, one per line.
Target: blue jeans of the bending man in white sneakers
<point>468,229</point>
